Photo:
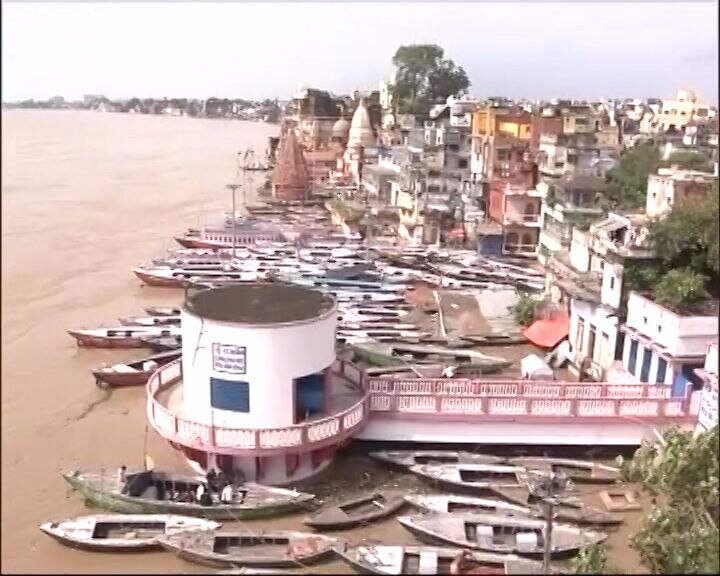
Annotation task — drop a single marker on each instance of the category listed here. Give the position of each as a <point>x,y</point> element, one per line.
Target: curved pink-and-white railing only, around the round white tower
<point>263,441</point>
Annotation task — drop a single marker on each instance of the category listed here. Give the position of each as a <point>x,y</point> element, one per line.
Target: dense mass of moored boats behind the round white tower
<point>297,244</point>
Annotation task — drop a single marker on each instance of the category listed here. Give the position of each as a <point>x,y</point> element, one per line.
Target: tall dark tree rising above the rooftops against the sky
<point>424,77</point>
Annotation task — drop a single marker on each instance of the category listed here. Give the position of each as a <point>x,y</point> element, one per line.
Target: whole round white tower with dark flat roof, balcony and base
<point>256,390</point>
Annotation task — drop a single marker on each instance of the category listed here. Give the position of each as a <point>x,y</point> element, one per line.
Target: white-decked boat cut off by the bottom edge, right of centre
<point>432,560</point>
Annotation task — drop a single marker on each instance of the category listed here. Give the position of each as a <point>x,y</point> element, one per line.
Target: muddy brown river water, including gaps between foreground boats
<point>85,198</point>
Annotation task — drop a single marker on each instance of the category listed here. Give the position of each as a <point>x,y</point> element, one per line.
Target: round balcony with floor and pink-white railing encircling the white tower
<point>164,410</point>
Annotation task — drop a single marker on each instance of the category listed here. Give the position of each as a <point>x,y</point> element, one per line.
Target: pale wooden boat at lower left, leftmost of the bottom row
<point>121,532</point>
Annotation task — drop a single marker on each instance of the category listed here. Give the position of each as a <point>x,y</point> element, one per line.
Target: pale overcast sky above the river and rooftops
<point>631,49</point>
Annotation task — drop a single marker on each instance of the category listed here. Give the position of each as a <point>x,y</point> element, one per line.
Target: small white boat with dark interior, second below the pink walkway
<point>475,478</point>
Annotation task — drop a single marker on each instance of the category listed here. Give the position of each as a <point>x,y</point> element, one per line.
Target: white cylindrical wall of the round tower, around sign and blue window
<point>275,355</point>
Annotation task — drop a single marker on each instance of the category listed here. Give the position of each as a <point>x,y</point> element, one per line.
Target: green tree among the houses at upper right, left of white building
<point>627,182</point>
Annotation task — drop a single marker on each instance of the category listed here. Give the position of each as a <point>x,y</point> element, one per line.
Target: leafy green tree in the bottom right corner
<point>680,535</point>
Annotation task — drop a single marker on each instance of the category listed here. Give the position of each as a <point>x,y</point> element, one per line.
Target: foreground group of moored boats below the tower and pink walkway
<point>495,521</point>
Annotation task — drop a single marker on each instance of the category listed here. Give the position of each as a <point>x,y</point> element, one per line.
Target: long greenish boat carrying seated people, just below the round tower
<point>147,492</point>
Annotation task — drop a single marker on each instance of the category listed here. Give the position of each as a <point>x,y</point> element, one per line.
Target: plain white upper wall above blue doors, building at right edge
<point>680,335</point>
